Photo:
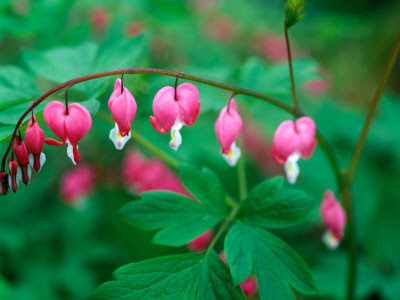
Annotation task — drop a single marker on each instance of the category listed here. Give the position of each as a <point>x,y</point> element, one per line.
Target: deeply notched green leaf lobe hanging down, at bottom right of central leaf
<point>276,265</point>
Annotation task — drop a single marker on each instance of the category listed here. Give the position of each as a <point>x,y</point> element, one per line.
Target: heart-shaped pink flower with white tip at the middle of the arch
<point>172,111</point>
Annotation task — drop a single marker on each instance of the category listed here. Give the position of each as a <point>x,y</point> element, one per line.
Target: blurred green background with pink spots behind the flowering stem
<point>61,235</point>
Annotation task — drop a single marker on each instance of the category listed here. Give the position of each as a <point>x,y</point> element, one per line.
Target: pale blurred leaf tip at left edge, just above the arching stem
<point>16,86</point>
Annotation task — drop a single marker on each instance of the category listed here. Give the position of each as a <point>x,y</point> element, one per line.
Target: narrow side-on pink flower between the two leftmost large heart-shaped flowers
<point>123,109</point>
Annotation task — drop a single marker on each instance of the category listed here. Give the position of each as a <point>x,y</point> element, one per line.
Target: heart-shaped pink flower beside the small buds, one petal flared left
<point>69,127</point>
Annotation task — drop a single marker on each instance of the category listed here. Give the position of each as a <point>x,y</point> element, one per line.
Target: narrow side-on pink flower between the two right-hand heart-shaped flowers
<point>227,127</point>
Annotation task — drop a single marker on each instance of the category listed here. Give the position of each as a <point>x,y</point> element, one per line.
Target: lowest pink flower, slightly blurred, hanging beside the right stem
<point>334,218</point>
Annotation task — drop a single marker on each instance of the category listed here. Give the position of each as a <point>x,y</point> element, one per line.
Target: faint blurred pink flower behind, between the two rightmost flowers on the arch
<point>257,146</point>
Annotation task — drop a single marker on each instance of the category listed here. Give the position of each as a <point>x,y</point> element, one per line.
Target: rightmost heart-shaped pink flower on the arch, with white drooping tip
<point>292,141</point>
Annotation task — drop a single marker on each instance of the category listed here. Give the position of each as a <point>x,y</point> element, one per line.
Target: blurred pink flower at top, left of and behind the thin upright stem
<point>272,47</point>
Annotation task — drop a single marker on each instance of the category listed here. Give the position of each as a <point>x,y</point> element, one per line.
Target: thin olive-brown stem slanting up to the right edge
<point>368,121</point>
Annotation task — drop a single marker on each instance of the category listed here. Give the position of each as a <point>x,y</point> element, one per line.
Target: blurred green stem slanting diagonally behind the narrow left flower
<point>145,143</point>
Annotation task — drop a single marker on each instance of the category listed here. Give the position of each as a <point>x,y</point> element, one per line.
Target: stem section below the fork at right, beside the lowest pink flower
<point>352,251</point>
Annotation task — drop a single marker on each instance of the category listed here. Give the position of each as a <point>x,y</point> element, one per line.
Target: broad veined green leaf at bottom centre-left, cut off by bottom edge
<point>186,277</point>
